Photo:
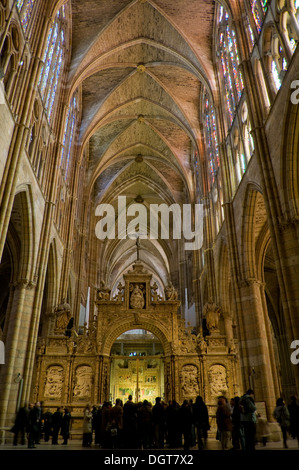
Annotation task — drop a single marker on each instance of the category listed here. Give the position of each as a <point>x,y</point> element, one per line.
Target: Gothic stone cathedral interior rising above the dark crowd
<point>110,109</point>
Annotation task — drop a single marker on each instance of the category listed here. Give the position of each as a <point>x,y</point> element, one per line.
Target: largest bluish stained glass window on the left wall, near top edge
<point>53,61</point>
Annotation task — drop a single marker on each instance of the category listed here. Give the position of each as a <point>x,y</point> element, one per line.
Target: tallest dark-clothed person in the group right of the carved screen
<point>248,419</point>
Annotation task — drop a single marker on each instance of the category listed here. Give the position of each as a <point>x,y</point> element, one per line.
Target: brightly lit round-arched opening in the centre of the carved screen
<point>137,367</point>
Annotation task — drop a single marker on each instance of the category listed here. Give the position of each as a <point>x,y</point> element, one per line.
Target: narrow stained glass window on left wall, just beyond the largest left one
<point>69,133</point>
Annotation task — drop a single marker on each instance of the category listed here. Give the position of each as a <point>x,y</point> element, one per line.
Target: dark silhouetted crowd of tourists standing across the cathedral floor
<point>146,426</point>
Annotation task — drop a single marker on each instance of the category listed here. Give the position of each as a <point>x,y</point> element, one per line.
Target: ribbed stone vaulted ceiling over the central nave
<point>142,66</point>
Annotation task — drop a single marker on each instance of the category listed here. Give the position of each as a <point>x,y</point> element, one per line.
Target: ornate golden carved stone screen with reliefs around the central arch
<point>75,370</point>
